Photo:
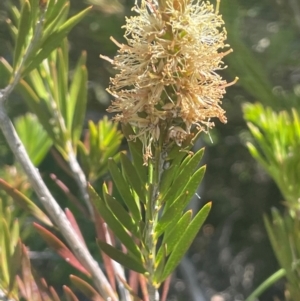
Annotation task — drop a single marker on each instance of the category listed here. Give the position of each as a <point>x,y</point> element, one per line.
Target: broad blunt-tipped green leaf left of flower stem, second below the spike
<point>124,191</point>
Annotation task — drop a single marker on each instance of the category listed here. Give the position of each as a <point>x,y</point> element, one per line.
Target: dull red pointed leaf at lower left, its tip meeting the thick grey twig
<point>60,248</point>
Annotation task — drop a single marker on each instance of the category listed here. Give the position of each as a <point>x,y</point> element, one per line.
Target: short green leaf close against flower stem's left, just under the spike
<point>132,177</point>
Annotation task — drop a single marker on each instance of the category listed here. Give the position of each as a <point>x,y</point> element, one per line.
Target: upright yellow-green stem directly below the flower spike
<point>155,170</point>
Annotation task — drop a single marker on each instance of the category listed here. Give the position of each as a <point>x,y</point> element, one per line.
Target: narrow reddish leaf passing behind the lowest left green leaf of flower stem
<point>101,231</point>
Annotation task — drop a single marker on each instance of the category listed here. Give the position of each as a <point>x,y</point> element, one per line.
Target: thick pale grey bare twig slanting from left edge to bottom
<point>46,198</point>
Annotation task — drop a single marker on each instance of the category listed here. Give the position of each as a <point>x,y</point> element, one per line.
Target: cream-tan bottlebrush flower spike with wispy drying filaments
<point>167,71</point>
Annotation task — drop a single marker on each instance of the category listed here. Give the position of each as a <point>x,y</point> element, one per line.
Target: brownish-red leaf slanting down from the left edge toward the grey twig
<point>25,203</point>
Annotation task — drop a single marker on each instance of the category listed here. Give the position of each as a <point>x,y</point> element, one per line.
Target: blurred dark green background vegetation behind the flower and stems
<point>232,254</point>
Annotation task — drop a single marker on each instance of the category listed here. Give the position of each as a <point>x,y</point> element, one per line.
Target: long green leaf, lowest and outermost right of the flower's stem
<point>185,241</point>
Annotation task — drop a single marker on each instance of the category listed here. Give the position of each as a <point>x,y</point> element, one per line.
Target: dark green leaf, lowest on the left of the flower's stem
<point>121,258</point>
